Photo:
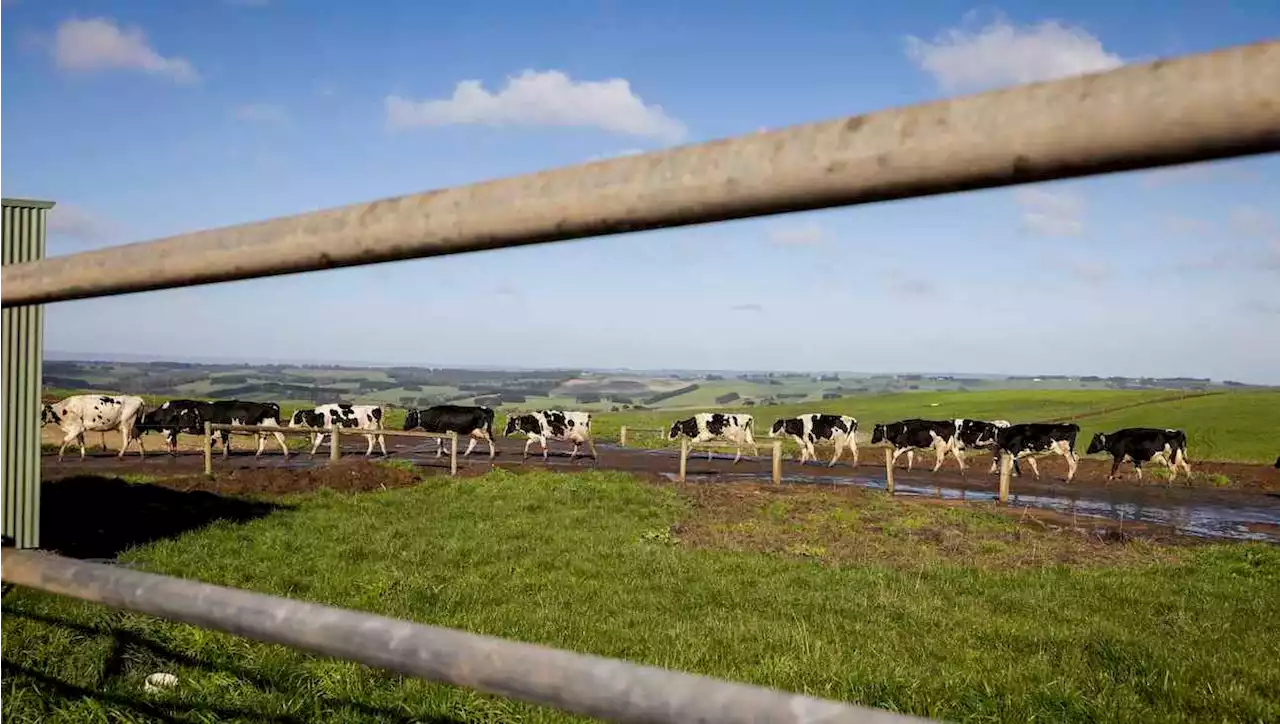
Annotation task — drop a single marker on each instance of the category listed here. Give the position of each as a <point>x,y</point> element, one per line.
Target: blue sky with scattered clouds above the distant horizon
<point>145,120</point>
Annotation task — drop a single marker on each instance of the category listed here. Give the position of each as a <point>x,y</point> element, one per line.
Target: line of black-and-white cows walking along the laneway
<point>132,419</point>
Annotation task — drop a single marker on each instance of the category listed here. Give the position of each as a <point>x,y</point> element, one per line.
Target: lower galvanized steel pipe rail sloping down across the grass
<point>593,686</point>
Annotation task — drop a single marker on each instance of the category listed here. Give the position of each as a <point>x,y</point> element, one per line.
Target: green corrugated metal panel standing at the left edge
<point>22,342</point>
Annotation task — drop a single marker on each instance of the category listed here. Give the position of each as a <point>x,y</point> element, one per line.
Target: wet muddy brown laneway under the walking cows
<point>1250,511</point>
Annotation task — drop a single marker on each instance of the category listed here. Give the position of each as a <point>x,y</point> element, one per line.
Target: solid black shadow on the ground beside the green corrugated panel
<point>98,517</point>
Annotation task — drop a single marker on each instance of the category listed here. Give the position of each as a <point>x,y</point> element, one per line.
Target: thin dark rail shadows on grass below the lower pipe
<point>130,648</point>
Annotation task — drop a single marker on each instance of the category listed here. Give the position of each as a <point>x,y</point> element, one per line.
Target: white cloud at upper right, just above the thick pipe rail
<point>1003,54</point>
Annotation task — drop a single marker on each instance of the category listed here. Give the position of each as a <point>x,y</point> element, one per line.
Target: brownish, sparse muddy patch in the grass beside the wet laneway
<point>840,526</point>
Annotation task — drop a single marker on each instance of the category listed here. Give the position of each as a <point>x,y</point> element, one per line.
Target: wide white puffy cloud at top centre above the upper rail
<point>542,99</point>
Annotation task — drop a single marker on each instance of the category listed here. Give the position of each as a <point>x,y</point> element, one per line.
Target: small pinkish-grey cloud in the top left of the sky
<point>99,44</point>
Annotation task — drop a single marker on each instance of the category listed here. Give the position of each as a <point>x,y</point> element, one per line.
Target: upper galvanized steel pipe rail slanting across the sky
<point>1196,108</point>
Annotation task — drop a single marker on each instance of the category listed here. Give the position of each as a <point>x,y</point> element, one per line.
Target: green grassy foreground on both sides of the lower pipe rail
<point>780,593</point>
